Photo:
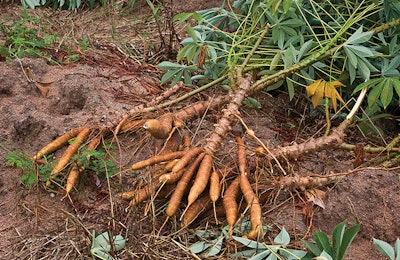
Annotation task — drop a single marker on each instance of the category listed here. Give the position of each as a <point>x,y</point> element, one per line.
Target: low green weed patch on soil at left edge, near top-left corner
<point>23,37</point>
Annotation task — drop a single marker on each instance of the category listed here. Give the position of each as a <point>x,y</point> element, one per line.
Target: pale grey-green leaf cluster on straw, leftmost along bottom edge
<point>105,248</point>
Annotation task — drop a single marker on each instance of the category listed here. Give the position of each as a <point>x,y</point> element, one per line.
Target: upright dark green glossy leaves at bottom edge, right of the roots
<point>341,240</point>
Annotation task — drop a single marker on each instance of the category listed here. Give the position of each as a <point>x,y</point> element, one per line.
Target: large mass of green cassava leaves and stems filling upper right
<point>362,47</point>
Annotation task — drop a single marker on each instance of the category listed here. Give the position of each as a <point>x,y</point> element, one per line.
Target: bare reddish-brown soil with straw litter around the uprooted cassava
<point>39,223</point>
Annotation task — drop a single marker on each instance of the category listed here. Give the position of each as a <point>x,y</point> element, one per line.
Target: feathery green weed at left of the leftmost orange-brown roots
<point>32,172</point>
